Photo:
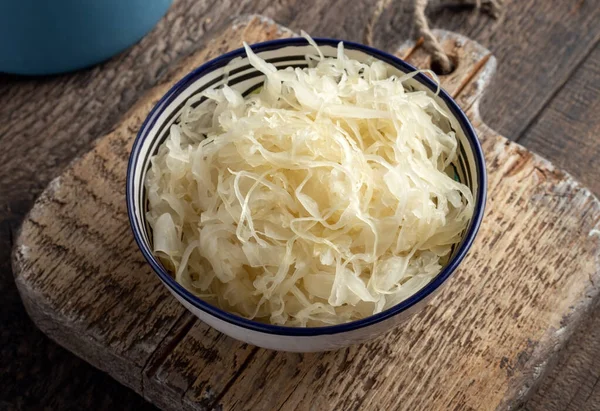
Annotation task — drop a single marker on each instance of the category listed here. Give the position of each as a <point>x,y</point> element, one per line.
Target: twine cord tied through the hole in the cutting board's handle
<point>431,44</point>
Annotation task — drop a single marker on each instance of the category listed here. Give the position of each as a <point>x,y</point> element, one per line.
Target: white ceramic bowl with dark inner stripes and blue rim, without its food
<point>470,169</point>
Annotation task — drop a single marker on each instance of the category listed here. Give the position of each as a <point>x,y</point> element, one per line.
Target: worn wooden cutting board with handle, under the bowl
<point>483,343</point>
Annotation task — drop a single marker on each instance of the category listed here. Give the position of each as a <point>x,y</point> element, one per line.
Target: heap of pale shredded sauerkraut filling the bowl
<point>322,199</point>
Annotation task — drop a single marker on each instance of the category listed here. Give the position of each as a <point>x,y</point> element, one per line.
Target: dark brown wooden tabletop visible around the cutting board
<point>547,84</point>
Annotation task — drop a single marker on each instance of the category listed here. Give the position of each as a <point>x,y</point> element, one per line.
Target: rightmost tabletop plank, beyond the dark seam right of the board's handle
<point>573,117</point>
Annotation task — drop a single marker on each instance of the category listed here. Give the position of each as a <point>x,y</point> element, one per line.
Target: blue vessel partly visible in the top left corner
<point>54,36</point>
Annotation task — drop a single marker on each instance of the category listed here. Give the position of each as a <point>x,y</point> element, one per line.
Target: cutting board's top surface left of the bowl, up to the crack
<point>135,316</point>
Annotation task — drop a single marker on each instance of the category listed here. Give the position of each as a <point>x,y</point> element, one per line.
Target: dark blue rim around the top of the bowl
<point>309,331</point>
